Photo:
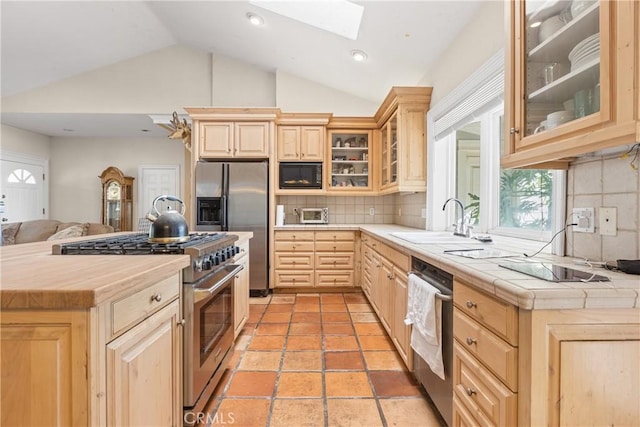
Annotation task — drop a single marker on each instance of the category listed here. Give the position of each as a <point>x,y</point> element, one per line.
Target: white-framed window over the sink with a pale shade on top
<point>464,162</point>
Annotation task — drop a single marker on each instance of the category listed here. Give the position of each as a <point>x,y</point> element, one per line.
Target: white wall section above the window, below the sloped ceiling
<point>482,38</point>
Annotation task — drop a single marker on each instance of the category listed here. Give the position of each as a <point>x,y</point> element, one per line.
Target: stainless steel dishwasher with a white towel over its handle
<point>440,391</point>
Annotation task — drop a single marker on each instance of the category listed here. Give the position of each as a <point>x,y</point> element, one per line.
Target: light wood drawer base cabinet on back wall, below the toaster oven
<point>315,259</point>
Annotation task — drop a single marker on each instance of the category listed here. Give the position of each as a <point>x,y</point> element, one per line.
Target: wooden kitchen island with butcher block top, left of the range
<point>91,340</point>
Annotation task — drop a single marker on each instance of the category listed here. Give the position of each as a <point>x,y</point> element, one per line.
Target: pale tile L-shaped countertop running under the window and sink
<point>526,292</point>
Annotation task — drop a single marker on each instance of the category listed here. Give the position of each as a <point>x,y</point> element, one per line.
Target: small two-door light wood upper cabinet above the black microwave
<point>301,137</point>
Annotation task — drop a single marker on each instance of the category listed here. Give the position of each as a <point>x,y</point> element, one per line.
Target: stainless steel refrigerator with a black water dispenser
<point>234,196</point>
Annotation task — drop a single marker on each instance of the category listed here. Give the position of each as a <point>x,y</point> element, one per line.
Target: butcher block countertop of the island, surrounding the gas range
<point>33,278</point>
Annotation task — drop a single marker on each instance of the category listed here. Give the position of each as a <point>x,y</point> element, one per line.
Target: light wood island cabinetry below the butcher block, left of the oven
<point>117,364</point>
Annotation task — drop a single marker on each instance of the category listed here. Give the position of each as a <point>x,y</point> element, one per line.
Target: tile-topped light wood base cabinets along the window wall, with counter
<point>527,351</point>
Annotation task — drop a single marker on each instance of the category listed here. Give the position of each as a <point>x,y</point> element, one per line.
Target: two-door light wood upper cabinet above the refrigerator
<point>222,133</point>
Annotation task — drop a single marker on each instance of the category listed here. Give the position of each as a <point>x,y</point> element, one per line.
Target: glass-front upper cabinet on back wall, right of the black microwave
<point>349,158</point>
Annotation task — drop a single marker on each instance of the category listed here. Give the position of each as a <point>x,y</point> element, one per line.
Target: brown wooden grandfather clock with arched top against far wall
<point>117,199</point>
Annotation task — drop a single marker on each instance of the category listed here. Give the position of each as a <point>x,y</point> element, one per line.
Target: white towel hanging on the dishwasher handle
<point>424,312</point>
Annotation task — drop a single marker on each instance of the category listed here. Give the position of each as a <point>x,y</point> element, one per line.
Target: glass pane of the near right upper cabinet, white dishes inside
<point>562,63</point>
